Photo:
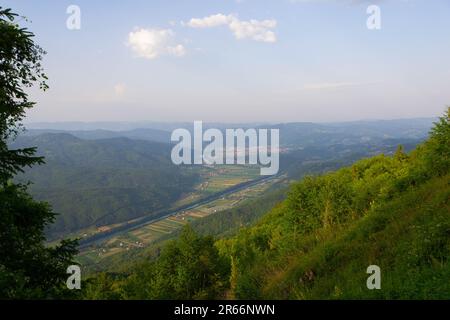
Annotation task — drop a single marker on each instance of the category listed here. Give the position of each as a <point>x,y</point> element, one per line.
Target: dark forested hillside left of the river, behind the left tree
<point>103,181</point>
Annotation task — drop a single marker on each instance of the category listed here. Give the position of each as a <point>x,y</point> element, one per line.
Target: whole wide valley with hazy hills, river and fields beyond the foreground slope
<point>120,195</point>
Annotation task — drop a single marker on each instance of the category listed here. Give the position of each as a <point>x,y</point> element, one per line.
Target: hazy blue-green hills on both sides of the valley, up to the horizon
<point>120,175</point>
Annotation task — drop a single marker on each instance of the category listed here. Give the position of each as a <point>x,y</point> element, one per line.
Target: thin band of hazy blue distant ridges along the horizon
<point>293,134</point>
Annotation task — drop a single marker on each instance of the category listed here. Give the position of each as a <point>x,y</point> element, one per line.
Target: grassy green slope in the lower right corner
<point>408,237</point>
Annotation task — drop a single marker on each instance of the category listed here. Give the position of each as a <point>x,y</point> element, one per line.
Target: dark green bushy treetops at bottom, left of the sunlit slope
<point>187,268</point>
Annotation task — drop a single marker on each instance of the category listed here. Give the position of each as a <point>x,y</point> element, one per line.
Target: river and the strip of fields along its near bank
<point>139,236</point>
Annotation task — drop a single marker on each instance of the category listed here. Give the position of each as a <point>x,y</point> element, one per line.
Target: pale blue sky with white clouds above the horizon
<point>240,60</point>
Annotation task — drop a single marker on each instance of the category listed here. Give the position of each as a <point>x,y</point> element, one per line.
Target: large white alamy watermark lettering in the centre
<point>240,146</point>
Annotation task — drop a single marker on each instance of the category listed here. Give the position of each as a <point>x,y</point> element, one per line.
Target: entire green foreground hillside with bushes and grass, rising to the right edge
<point>387,211</point>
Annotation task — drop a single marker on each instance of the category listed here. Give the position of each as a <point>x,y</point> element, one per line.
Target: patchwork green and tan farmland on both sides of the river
<point>215,180</point>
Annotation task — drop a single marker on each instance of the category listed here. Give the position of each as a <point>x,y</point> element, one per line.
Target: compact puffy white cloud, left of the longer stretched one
<point>152,43</point>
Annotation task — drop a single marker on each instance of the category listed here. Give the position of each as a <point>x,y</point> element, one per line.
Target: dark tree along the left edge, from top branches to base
<point>28,269</point>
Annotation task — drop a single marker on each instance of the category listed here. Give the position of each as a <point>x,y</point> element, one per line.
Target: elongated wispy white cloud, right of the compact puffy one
<point>253,29</point>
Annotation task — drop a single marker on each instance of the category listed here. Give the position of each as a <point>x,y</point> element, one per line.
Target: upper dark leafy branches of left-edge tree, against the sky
<point>20,68</point>
